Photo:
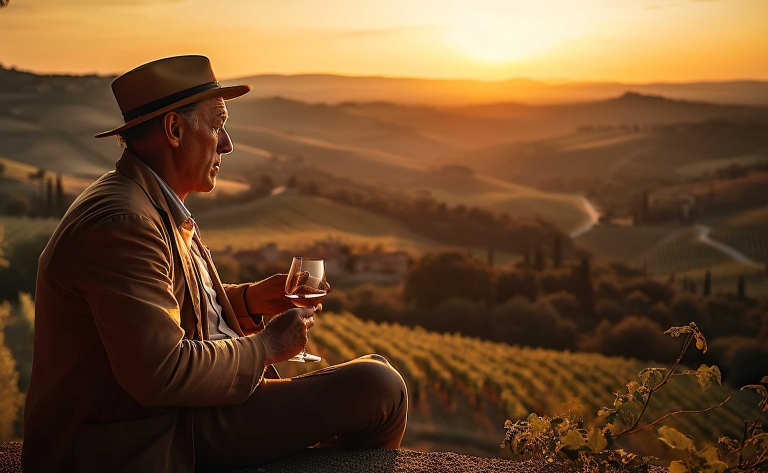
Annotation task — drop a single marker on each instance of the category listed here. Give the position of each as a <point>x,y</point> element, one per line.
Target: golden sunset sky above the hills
<point>596,40</point>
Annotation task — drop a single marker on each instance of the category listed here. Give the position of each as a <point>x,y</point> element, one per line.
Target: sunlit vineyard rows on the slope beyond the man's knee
<point>450,375</point>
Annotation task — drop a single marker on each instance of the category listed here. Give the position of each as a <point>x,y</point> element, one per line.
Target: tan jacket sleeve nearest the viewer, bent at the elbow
<point>125,275</point>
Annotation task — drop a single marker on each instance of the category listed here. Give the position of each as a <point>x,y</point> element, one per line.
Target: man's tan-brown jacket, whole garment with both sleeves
<point>121,356</point>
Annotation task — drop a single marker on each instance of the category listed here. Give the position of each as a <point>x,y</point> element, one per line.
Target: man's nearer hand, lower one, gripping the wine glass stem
<point>286,334</point>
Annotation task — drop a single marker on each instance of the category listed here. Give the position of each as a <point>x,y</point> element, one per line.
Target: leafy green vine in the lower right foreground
<point>564,438</point>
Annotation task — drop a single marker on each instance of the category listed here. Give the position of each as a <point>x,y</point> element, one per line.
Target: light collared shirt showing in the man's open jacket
<point>217,325</point>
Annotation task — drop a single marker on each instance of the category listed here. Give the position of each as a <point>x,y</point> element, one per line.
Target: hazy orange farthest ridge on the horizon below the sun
<point>334,89</point>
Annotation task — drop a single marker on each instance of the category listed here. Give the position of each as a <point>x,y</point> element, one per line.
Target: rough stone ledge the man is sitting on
<point>362,461</point>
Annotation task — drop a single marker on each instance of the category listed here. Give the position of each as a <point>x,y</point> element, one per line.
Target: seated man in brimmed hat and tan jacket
<point>144,361</point>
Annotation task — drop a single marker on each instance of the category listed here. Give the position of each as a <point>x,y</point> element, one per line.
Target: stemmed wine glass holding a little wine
<point>306,287</point>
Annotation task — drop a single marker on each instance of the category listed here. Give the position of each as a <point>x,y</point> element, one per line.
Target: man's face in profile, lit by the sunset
<point>203,146</point>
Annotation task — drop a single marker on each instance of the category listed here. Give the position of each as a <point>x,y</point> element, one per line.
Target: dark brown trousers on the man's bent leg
<point>359,404</point>
